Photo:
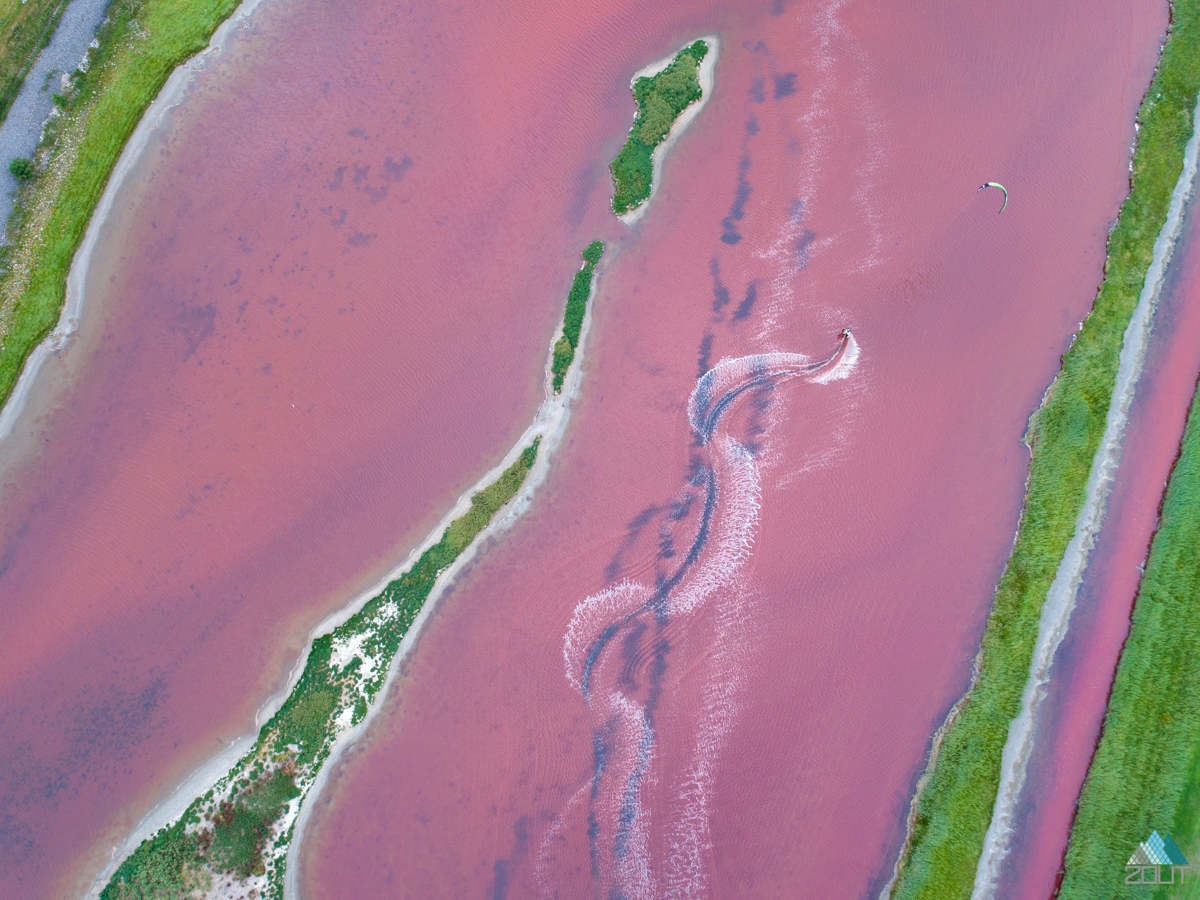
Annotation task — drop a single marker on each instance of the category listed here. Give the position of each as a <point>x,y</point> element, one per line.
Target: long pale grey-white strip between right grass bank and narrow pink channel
<point>1061,598</point>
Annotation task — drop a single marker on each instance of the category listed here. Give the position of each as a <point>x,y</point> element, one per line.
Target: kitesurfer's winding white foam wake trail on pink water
<point>619,643</point>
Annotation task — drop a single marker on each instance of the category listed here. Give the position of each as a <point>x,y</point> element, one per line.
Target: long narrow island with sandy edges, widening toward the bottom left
<point>237,836</point>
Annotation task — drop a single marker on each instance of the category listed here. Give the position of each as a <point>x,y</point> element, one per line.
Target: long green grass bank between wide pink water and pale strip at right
<point>955,806</point>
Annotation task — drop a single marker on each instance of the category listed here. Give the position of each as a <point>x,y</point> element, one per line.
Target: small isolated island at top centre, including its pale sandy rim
<point>663,97</point>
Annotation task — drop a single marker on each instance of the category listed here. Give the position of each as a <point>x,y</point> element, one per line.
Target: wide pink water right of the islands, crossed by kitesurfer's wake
<point>710,659</point>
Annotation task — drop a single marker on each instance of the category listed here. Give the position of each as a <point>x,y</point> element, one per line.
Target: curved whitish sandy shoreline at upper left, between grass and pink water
<point>77,278</point>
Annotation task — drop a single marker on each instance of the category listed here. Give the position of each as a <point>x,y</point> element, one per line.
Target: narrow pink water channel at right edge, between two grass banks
<point>1076,705</point>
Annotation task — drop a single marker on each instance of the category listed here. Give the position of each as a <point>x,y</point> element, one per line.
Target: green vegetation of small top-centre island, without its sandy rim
<point>661,100</point>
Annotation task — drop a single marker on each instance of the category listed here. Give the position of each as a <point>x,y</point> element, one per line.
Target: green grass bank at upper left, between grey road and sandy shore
<point>141,44</point>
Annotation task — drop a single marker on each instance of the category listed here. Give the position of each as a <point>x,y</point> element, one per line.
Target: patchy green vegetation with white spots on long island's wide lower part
<point>236,829</point>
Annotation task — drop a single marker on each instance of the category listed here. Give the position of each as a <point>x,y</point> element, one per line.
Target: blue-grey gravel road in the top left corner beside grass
<point>22,130</point>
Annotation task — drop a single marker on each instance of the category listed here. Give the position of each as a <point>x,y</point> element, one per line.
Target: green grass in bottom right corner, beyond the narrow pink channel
<point>1147,771</point>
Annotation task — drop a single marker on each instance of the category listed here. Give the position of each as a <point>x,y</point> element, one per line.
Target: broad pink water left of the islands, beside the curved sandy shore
<point>322,311</point>
